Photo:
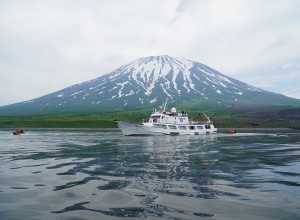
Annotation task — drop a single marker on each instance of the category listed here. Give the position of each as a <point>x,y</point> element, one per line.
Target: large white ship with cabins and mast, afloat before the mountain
<point>169,123</point>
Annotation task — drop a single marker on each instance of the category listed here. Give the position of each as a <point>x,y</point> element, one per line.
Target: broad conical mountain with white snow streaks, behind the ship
<point>147,82</point>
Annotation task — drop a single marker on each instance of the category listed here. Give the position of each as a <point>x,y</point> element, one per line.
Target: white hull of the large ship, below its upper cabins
<point>132,129</point>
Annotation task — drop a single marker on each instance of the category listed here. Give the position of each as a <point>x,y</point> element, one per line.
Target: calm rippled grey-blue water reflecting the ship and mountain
<point>104,175</point>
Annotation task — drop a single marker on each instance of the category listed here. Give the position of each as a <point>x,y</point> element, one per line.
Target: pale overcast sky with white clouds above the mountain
<point>48,45</point>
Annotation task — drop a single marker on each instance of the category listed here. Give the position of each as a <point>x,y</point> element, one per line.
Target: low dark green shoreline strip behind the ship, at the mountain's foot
<point>273,118</point>
